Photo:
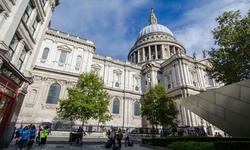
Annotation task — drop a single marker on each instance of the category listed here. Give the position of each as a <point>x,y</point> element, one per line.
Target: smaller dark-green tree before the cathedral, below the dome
<point>157,102</point>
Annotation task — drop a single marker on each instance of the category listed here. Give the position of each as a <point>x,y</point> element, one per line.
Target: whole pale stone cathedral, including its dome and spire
<point>62,57</point>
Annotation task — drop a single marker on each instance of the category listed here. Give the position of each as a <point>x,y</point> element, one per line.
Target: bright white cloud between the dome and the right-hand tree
<point>197,24</point>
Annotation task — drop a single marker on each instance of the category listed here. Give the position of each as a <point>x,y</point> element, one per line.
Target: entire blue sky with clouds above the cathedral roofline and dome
<point>114,25</point>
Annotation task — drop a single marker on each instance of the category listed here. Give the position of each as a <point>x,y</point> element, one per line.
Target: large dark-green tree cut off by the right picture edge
<point>231,60</point>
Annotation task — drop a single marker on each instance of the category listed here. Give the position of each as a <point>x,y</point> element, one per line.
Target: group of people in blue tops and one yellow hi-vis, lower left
<point>25,136</point>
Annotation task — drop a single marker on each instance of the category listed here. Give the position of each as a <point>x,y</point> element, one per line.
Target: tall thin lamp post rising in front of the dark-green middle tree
<point>149,75</point>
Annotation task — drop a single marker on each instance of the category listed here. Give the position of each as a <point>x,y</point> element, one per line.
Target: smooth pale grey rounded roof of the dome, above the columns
<point>154,28</point>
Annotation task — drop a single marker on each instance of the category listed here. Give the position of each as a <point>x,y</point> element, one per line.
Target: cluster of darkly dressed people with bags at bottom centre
<point>118,136</point>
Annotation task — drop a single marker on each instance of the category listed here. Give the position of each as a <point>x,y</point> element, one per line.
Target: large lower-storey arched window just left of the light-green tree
<point>54,92</point>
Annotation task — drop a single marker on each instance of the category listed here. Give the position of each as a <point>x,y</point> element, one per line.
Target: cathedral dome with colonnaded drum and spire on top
<point>155,42</point>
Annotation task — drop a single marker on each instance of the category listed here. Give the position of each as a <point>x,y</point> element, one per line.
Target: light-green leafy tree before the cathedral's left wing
<point>86,100</point>
